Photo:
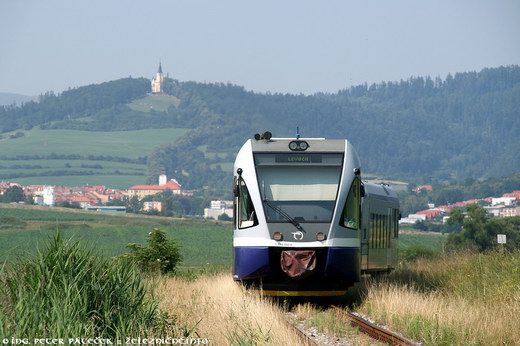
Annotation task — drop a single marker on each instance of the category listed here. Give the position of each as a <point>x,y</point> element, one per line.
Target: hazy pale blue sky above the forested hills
<point>270,45</point>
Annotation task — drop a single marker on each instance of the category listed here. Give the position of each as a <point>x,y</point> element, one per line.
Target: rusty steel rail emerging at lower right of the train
<point>375,331</point>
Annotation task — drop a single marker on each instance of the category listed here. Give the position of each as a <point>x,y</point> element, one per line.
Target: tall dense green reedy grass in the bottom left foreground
<point>67,291</point>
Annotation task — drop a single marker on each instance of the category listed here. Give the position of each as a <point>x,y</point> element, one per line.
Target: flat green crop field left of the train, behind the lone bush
<point>23,231</point>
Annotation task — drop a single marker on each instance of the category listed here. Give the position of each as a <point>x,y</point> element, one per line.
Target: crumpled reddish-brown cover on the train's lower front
<point>298,264</point>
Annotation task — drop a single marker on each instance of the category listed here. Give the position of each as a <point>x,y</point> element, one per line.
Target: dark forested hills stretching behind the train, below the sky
<point>464,126</point>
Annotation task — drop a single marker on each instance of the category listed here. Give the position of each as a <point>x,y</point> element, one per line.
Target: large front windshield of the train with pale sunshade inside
<point>298,187</point>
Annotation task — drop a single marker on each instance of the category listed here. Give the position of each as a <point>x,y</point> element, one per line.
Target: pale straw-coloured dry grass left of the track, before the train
<point>218,309</point>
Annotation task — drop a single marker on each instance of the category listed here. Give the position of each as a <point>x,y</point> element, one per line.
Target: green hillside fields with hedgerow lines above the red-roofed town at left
<point>84,167</point>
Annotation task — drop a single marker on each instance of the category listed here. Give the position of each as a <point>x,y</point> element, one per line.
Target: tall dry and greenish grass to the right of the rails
<point>465,299</point>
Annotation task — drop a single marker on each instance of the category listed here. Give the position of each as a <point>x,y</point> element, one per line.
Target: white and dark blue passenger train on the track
<point>305,222</point>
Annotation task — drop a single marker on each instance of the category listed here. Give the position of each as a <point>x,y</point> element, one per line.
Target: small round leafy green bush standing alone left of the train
<point>161,255</point>
